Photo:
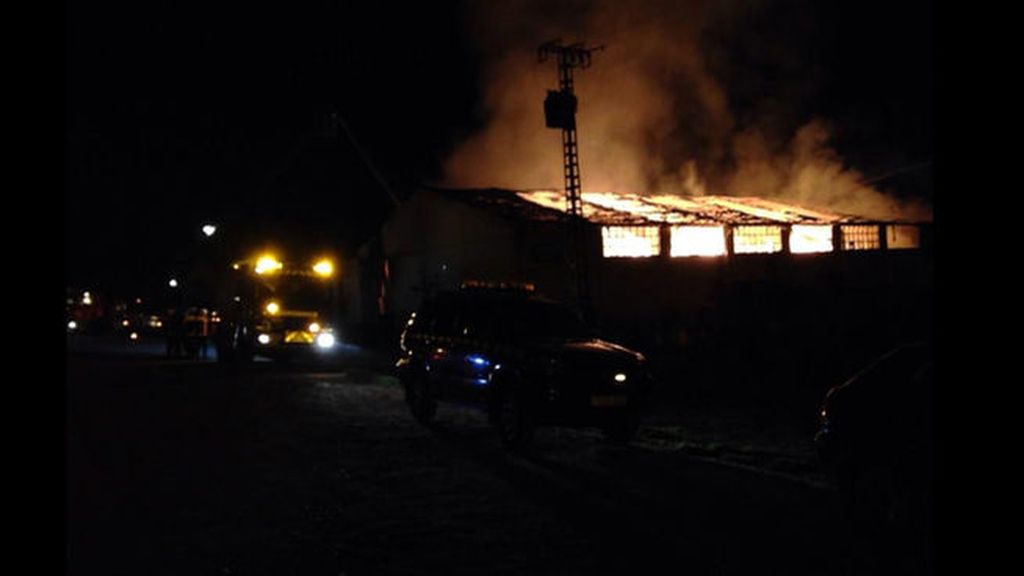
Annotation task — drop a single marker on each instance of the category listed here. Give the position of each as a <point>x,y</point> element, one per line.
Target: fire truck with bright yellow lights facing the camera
<point>278,310</point>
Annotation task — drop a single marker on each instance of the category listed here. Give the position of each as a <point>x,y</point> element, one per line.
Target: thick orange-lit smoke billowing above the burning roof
<point>657,113</point>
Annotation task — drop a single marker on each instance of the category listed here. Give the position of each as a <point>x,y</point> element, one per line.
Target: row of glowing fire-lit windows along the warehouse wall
<point>711,241</point>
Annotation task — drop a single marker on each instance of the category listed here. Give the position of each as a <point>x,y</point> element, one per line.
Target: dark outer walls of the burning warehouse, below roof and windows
<point>435,243</point>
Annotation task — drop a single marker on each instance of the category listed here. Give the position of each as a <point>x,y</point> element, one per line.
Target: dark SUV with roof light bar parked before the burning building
<point>527,361</point>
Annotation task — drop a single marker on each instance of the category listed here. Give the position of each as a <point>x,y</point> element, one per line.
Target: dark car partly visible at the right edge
<point>876,436</point>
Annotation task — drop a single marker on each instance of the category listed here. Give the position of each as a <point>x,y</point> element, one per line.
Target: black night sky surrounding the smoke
<point>182,112</point>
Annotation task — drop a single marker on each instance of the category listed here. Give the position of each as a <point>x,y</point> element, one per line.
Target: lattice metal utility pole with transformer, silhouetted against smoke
<point>560,112</point>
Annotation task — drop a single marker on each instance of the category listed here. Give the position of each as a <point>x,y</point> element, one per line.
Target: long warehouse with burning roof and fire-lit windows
<point>655,265</point>
